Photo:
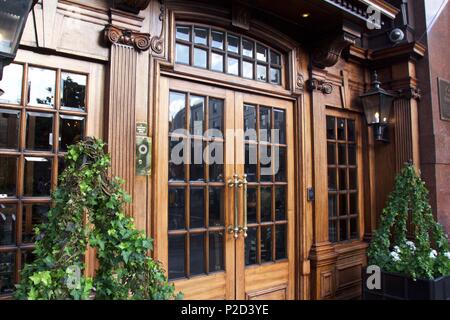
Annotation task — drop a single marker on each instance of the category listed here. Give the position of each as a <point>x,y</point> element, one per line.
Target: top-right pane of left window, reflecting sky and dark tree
<point>73,90</point>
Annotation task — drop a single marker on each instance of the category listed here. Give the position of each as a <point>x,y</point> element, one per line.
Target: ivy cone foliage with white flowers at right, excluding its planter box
<point>423,252</point>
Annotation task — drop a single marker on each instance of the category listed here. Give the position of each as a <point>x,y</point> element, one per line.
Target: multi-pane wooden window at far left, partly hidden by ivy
<point>41,112</point>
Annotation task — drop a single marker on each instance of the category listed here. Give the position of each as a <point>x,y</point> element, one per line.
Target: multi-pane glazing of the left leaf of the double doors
<point>196,187</point>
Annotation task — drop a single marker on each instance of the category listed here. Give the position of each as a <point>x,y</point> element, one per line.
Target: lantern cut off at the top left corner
<point>13,17</point>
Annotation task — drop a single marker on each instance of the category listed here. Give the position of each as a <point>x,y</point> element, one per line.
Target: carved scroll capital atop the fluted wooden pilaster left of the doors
<point>140,41</point>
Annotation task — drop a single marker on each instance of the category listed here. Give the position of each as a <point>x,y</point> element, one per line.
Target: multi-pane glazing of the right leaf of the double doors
<point>265,166</point>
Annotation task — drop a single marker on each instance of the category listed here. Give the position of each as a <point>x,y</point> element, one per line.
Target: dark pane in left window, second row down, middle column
<point>39,131</point>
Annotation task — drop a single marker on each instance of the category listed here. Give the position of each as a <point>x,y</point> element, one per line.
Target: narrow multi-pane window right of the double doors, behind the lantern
<point>343,208</point>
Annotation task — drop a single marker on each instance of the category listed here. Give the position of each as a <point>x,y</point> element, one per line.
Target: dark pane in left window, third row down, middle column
<point>38,174</point>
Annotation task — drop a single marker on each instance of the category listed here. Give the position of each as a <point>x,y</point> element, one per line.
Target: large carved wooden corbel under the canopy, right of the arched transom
<point>327,53</point>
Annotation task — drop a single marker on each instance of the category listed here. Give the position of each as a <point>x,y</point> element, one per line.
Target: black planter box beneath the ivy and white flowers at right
<point>400,287</point>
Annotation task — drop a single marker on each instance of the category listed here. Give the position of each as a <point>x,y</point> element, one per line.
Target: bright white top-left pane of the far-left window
<point>12,84</point>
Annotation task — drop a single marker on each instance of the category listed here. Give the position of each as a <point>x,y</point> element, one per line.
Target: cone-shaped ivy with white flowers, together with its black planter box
<point>414,264</point>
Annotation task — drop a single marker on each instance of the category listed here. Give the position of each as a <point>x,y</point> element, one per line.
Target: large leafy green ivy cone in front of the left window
<point>88,210</point>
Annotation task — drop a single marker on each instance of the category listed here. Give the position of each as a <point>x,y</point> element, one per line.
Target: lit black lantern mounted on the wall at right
<point>377,104</point>
